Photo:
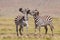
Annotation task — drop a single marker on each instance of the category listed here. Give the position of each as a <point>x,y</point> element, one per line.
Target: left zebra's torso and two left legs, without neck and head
<point>20,21</point>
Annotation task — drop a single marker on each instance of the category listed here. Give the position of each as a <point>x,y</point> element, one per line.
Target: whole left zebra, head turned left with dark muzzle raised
<point>22,20</point>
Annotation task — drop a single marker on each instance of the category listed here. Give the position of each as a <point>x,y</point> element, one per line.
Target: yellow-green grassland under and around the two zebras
<point>7,30</point>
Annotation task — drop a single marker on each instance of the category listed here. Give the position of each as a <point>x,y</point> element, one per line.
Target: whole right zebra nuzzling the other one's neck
<point>41,21</point>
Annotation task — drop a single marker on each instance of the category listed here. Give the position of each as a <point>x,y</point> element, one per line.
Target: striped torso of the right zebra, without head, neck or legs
<point>43,20</point>
